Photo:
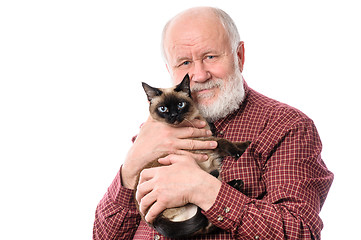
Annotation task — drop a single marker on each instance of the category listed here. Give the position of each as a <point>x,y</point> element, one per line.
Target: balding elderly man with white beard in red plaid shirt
<point>285,180</point>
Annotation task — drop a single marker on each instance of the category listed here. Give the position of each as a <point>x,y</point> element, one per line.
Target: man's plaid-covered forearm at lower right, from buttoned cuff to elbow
<point>261,219</point>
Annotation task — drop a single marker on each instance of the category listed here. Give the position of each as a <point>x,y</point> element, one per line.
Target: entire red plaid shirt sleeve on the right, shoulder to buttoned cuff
<point>296,185</point>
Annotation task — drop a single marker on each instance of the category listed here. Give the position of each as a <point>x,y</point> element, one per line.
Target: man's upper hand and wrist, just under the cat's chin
<point>156,140</point>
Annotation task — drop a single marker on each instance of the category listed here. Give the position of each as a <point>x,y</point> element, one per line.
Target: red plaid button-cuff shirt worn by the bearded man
<point>285,181</point>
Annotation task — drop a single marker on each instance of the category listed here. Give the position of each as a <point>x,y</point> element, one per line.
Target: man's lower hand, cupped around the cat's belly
<point>182,181</point>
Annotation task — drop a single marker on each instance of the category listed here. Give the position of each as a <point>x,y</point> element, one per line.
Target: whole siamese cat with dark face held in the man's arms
<point>175,106</point>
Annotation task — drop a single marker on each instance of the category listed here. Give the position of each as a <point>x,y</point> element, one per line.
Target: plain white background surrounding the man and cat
<point>71,98</point>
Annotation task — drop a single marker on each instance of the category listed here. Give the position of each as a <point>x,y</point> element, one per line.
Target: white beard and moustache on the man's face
<point>229,99</point>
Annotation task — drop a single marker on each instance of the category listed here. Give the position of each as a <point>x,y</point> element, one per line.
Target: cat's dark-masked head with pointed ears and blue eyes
<point>171,105</point>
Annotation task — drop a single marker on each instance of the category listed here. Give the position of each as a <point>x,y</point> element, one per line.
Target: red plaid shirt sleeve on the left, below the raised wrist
<point>116,216</point>
